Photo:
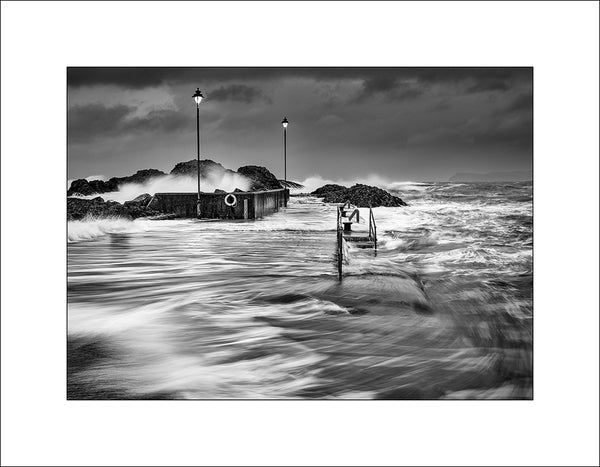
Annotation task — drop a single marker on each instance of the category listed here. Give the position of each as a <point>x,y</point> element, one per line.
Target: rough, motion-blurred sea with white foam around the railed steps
<point>189,309</point>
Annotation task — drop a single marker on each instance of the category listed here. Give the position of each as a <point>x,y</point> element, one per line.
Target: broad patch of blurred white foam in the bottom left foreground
<point>149,336</point>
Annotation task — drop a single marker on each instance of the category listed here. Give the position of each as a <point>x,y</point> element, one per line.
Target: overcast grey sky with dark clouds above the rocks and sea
<point>400,124</point>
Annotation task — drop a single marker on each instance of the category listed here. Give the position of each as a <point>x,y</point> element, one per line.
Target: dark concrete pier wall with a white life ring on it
<point>246,204</point>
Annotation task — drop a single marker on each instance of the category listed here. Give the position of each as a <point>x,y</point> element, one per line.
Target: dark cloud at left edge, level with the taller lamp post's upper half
<point>88,122</point>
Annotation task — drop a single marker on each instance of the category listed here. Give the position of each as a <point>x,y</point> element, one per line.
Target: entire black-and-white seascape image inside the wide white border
<point>340,233</point>
